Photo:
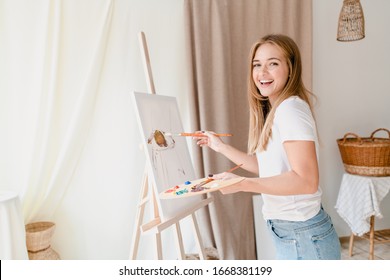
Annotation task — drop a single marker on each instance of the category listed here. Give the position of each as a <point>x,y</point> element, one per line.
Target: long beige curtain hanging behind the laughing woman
<point>219,34</point>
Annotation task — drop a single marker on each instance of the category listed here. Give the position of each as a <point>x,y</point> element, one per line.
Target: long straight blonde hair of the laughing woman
<point>261,114</point>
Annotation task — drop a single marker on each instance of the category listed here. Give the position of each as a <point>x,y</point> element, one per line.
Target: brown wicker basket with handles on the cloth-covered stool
<point>368,156</point>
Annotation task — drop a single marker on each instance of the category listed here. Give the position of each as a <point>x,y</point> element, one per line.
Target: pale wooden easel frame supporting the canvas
<point>157,225</point>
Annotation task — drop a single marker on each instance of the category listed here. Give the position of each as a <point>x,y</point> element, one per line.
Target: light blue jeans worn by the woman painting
<point>314,239</point>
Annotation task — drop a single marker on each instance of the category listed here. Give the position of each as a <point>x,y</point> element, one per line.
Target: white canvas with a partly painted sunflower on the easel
<point>168,156</point>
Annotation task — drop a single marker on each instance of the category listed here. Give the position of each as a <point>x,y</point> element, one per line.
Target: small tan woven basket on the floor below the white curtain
<point>38,241</point>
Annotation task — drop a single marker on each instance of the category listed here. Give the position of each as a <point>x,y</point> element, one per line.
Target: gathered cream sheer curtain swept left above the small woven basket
<point>63,96</point>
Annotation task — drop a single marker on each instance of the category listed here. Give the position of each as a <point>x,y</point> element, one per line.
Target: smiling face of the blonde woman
<point>270,71</point>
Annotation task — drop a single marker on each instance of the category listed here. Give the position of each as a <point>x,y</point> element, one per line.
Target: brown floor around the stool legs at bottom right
<point>361,250</point>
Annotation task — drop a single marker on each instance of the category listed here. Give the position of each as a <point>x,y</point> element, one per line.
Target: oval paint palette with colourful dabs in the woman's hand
<point>197,187</point>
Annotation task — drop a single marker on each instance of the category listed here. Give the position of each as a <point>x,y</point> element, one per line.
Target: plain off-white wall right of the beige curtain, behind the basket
<point>352,82</point>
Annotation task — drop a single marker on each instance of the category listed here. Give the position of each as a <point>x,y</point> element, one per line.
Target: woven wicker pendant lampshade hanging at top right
<point>351,22</point>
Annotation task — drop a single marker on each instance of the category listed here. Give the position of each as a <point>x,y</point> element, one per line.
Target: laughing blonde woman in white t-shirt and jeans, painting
<point>283,153</point>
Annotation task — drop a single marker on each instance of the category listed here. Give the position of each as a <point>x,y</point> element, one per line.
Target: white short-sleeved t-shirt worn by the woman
<point>293,121</point>
